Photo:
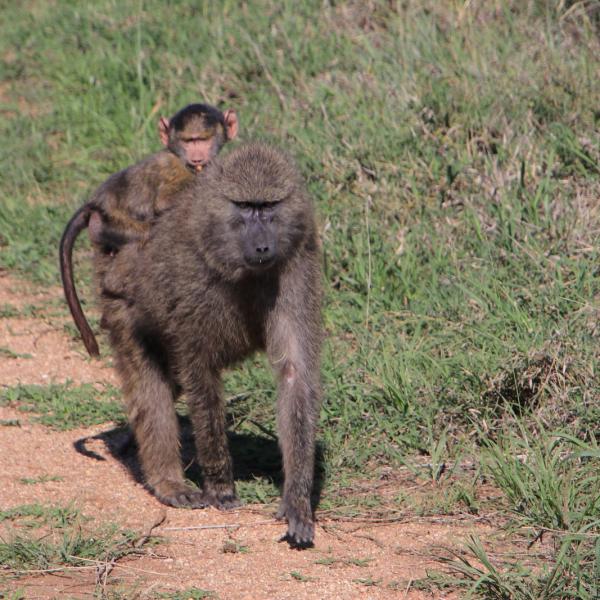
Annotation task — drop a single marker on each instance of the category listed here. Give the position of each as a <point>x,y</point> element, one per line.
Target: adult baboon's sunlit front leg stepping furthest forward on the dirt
<point>297,412</point>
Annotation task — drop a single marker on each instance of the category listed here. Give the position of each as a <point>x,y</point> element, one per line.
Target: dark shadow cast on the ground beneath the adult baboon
<point>254,456</point>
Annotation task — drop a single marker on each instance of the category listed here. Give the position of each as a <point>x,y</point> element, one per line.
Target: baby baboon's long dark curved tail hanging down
<point>78,222</point>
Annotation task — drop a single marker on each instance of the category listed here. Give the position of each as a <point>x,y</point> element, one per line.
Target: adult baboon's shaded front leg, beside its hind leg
<point>208,417</point>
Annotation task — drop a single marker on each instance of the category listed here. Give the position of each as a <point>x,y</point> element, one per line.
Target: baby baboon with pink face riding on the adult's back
<point>123,208</point>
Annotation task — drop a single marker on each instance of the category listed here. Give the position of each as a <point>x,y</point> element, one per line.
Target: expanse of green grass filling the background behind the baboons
<point>453,152</point>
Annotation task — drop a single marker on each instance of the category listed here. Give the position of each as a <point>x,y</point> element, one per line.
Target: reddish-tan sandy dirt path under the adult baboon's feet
<point>349,560</point>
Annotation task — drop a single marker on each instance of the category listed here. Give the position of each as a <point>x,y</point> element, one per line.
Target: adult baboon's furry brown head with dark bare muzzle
<point>254,214</point>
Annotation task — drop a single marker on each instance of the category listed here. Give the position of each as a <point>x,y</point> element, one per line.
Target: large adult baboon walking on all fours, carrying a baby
<point>233,269</point>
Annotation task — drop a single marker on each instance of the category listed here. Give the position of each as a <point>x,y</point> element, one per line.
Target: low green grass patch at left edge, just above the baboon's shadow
<point>65,406</point>
